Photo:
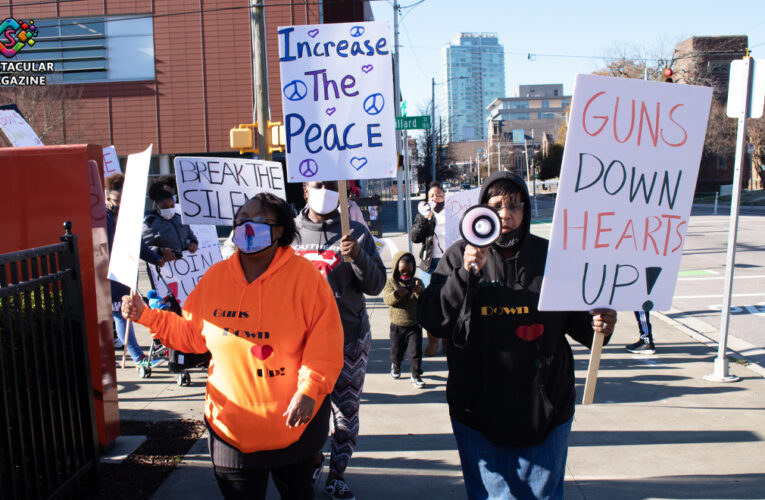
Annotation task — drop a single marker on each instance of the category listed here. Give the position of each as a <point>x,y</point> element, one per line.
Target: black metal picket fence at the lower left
<point>48,435</point>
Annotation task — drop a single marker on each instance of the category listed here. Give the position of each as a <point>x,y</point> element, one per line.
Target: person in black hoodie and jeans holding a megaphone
<point>510,387</point>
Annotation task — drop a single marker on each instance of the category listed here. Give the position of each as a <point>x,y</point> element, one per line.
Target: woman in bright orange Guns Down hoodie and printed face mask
<point>270,321</point>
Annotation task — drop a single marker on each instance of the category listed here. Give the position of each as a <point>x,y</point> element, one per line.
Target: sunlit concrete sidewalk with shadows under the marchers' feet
<point>656,430</point>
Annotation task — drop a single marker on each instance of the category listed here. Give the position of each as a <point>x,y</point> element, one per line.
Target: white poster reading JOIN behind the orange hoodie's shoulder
<point>182,275</point>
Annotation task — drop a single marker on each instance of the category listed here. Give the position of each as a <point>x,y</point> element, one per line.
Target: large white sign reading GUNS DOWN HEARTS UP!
<point>629,172</point>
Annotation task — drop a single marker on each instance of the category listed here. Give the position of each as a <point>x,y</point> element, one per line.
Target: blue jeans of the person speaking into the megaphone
<point>497,472</point>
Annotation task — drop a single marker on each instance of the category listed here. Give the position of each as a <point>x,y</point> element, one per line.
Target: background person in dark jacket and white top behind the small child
<point>430,230</point>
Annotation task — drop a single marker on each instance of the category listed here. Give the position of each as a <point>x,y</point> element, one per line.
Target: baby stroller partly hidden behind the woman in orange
<point>178,362</point>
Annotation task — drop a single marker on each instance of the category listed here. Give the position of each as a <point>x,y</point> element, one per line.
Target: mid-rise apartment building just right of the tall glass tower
<point>528,121</point>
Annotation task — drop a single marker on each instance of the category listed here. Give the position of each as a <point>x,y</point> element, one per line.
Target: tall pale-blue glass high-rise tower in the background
<point>474,75</point>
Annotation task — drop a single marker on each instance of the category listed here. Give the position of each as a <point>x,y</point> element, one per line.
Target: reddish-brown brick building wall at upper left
<point>203,82</point>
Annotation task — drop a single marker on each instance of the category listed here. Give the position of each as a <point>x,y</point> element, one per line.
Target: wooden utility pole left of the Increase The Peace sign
<point>260,76</point>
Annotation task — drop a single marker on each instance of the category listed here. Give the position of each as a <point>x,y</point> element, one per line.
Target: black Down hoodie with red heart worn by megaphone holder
<point>511,369</point>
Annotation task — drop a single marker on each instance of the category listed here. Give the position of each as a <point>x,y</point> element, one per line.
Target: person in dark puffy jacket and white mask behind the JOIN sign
<point>163,230</point>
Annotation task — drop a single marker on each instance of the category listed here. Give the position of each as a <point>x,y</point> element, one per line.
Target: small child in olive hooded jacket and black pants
<point>400,294</point>
